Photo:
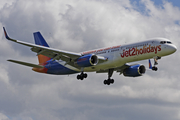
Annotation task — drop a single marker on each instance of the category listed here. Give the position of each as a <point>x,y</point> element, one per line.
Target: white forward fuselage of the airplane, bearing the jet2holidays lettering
<point>122,54</point>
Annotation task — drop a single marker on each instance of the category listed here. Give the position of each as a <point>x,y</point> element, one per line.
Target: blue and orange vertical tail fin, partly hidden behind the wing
<point>39,40</point>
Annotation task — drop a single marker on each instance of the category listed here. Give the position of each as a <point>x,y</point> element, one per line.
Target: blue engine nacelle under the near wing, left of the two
<point>87,60</point>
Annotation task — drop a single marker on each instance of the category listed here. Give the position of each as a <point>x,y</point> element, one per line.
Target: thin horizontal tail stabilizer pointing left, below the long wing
<point>26,64</point>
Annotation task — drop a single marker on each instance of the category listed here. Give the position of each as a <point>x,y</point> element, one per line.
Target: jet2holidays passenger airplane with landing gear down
<point>103,60</point>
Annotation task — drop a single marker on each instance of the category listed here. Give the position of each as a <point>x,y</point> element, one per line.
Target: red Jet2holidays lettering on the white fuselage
<point>144,50</point>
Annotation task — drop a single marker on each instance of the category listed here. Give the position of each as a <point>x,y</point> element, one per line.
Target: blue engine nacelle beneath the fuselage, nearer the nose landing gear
<point>134,71</point>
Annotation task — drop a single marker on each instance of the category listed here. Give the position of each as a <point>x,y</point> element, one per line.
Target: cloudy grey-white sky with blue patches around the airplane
<point>83,25</point>
